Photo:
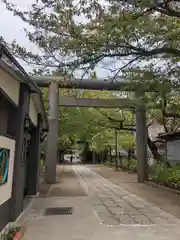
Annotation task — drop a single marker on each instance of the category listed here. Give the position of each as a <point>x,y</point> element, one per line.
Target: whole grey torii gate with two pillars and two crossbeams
<point>54,83</point>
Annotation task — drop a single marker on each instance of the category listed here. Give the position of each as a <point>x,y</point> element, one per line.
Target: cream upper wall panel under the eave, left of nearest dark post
<point>10,86</point>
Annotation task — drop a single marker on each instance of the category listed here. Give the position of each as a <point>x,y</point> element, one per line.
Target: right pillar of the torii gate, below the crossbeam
<point>141,143</point>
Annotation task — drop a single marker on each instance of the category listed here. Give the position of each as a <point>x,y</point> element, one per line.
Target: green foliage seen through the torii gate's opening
<point>93,125</point>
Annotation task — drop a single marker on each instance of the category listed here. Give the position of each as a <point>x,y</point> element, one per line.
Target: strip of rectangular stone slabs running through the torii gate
<point>116,206</point>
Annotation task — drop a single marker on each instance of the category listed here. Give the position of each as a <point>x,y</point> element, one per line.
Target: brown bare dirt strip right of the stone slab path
<point>166,199</point>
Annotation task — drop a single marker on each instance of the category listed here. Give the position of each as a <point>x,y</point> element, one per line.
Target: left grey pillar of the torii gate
<point>52,138</point>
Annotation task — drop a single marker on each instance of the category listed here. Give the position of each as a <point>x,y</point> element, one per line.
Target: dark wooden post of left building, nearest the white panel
<point>16,201</point>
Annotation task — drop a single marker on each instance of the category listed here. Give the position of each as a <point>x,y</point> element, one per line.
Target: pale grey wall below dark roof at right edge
<point>173,150</point>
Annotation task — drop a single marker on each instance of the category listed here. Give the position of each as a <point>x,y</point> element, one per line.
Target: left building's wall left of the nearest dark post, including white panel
<point>9,93</point>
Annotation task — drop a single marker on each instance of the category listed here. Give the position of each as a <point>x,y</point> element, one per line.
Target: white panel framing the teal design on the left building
<point>6,189</point>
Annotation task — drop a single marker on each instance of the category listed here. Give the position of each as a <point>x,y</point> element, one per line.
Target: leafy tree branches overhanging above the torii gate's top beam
<point>108,32</point>
